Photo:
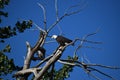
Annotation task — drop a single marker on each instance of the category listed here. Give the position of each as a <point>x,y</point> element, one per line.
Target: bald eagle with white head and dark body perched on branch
<point>61,40</point>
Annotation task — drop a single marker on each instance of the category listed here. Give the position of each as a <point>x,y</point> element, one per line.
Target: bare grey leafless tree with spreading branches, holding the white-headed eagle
<point>39,71</point>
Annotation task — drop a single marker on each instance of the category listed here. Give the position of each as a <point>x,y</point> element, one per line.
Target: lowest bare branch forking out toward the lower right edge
<point>88,67</point>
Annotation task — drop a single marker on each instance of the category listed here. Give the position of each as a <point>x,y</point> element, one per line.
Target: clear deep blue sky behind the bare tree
<point>97,13</point>
